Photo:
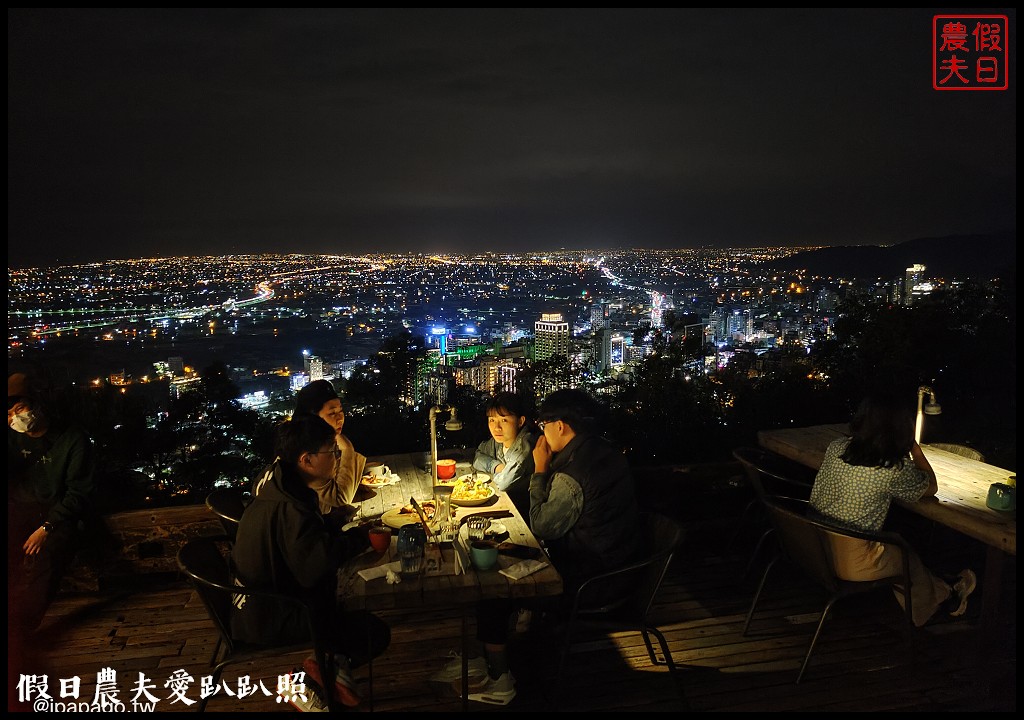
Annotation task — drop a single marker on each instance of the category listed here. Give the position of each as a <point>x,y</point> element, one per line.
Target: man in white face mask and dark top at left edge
<point>51,486</point>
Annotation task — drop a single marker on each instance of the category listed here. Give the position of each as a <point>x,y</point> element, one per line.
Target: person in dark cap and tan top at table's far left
<point>336,494</point>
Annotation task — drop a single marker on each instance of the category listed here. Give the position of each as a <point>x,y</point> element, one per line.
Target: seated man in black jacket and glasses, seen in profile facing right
<point>283,545</point>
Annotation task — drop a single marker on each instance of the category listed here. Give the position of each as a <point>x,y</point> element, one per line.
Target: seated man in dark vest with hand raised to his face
<point>583,505</point>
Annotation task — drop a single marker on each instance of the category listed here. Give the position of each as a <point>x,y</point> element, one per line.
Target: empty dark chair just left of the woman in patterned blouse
<point>770,475</point>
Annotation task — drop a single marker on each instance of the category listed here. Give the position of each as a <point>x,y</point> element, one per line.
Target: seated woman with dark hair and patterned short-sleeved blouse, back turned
<point>858,482</point>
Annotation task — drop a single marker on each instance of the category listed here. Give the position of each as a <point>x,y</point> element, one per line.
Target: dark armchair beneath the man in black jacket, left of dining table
<point>206,565</point>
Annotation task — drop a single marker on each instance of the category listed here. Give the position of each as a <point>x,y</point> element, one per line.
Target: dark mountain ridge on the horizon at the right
<point>960,257</point>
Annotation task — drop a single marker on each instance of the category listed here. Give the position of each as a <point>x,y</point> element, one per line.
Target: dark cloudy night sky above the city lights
<point>143,134</point>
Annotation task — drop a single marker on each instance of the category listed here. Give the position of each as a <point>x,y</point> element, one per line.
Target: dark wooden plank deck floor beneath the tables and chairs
<point>863,662</point>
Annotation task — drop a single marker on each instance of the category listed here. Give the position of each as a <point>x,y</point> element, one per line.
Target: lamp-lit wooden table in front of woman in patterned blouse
<point>960,502</point>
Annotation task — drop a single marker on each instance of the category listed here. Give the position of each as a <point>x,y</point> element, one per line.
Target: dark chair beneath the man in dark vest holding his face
<point>663,537</point>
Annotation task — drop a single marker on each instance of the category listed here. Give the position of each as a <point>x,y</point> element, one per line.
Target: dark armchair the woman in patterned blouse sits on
<point>804,542</point>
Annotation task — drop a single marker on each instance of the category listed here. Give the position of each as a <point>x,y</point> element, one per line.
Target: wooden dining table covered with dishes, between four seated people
<point>444,589</point>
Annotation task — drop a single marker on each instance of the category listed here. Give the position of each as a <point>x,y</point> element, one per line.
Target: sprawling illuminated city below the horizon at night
<point>399,333</point>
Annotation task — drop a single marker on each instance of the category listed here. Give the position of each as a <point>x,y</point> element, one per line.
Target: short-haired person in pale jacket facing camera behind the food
<point>508,455</point>
